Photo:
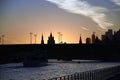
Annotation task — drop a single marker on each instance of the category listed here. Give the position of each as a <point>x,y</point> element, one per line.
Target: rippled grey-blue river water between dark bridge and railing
<point>15,71</point>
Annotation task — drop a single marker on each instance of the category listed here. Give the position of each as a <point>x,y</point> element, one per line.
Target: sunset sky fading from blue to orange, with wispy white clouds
<point>70,17</point>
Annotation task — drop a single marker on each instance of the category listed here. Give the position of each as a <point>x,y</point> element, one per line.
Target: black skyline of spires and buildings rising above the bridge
<point>108,38</point>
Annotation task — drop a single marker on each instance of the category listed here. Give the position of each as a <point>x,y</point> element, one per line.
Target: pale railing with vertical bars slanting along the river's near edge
<point>99,74</point>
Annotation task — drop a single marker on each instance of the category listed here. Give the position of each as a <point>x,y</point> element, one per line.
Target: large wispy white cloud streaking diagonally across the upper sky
<point>97,14</point>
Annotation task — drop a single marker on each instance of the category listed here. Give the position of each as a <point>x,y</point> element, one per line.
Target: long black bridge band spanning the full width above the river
<point>16,53</point>
